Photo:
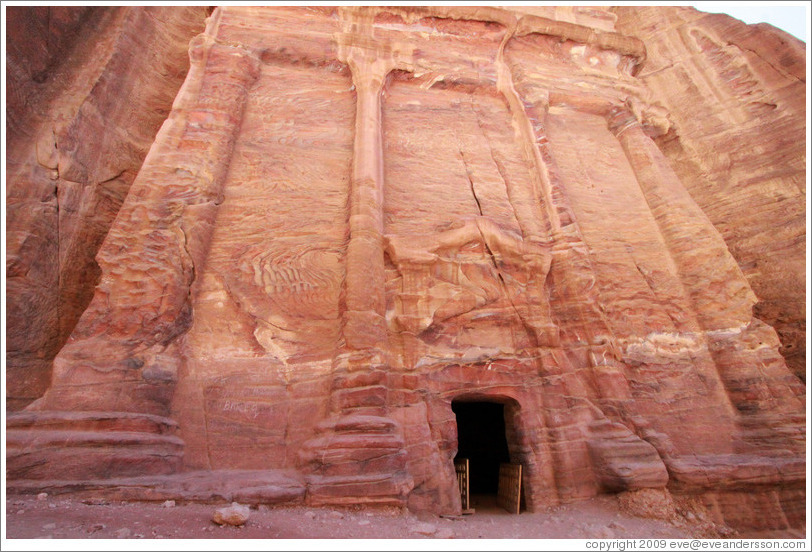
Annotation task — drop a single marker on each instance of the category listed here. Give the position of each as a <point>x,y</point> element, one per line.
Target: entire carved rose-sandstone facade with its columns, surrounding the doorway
<point>354,216</point>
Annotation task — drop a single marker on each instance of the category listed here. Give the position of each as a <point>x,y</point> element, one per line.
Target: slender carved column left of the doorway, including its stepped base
<point>359,454</point>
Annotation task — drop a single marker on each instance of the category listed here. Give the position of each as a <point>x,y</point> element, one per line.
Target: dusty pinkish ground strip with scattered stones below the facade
<point>61,517</point>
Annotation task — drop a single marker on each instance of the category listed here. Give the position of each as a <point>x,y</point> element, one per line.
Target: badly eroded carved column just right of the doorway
<point>585,341</point>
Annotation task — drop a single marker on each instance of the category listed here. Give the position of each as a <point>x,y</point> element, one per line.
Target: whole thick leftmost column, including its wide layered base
<point>113,381</point>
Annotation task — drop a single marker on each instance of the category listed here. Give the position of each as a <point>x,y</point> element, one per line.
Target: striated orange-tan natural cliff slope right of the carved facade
<point>736,94</point>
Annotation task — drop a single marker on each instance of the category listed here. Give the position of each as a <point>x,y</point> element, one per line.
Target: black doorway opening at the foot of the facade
<point>481,439</point>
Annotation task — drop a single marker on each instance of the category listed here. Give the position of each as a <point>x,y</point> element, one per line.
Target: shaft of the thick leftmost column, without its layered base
<point>121,356</point>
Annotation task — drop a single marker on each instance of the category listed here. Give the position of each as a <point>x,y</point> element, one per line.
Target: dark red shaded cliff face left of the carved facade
<point>86,91</point>
